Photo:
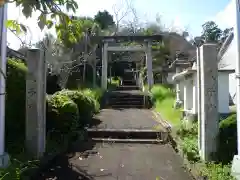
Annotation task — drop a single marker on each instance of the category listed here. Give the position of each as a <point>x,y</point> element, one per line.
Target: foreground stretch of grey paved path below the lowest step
<point>119,162</point>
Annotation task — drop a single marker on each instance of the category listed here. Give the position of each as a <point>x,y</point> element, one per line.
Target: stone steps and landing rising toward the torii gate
<point>126,107</point>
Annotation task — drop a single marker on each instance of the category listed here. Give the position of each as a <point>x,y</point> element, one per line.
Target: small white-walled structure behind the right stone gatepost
<point>189,90</point>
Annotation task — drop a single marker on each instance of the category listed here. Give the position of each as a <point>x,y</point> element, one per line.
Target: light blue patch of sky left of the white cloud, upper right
<point>190,13</point>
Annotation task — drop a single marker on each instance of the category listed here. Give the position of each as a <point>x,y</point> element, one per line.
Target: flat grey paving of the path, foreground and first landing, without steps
<point>91,160</point>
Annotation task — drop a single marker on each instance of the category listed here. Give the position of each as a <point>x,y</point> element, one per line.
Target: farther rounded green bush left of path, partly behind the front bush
<point>87,105</point>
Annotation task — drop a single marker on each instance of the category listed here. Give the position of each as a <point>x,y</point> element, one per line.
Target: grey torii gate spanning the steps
<point>114,44</point>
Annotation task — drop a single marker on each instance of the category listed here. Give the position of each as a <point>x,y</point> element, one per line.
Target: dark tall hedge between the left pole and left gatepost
<point>15,99</point>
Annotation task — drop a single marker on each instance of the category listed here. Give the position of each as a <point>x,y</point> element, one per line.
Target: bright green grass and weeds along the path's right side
<point>187,136</point>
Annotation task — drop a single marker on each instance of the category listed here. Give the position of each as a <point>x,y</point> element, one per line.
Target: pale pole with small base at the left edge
<point>4,158</point>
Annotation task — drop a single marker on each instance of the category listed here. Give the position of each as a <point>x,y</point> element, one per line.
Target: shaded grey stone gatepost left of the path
<point>36,102</point>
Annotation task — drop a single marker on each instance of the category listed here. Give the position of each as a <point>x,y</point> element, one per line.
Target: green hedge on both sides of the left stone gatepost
<point>66,109</point>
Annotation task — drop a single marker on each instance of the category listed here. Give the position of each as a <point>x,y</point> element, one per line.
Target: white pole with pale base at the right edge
<point>236,159</point>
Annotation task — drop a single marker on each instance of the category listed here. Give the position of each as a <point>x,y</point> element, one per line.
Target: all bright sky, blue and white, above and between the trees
<point>180,14</point>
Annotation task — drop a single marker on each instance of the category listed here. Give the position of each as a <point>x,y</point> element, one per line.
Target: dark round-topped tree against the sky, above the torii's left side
<point>104,19</point>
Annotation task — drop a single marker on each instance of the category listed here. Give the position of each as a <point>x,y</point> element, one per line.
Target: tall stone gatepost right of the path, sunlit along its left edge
<point>209,100</point>
